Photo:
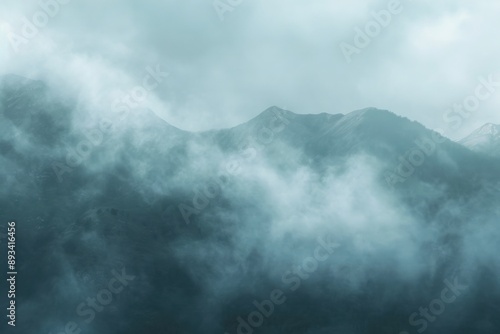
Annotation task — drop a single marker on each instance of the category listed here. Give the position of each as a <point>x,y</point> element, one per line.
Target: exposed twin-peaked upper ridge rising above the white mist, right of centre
<point>325,140</point>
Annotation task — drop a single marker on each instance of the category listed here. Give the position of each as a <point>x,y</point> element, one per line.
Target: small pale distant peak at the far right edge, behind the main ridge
<point>486,139</point>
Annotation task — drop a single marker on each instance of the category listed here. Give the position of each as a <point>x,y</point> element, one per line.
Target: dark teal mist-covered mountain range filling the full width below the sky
<point>316,223</point>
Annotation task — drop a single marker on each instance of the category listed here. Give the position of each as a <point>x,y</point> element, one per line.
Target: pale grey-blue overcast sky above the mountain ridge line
<point>225,67</point>
